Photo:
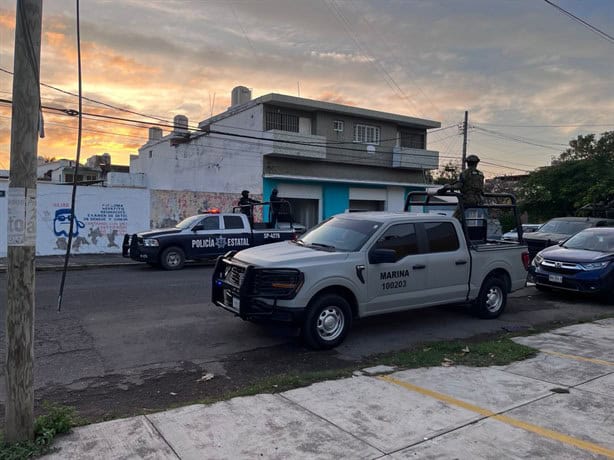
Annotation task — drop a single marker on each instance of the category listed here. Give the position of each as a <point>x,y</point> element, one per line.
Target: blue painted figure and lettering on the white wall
<point>100,227</point>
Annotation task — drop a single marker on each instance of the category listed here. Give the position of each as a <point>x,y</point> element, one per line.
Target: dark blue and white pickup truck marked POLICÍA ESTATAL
<point>202,236</point>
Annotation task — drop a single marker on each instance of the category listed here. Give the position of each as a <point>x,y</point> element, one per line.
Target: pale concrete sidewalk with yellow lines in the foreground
<point>556,405</point>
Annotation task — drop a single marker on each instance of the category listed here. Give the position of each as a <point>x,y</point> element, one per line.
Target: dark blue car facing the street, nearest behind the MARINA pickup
<point>584,263</point>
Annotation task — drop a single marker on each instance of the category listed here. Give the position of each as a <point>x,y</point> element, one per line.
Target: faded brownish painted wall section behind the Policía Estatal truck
<point>169,207</point>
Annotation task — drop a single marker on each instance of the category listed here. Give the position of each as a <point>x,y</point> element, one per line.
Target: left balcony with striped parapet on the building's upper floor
<point>299,145</point>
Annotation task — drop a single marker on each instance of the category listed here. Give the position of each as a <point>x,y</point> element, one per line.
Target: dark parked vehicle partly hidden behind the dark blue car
<point>557,230</point>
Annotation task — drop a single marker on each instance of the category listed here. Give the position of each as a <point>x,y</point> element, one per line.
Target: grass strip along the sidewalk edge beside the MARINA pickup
<point>496,352</point>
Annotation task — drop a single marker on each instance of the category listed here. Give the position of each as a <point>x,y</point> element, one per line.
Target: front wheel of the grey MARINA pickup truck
<point>327,322</point>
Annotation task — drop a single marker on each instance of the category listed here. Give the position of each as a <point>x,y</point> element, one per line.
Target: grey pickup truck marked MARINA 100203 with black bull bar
<point>356,265</point>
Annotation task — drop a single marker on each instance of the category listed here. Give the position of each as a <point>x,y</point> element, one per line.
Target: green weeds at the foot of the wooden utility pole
<point>56,420</point>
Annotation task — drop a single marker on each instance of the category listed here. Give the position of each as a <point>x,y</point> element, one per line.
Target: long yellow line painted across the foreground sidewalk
<point>536,429</point>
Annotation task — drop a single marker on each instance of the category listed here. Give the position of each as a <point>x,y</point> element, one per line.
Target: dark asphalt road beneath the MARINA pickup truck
<point>133,323</point>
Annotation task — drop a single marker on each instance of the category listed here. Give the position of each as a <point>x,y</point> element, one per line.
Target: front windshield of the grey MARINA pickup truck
<point>339,234</point>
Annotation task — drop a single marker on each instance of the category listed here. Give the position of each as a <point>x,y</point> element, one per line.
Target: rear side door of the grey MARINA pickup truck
<point>447,264</point>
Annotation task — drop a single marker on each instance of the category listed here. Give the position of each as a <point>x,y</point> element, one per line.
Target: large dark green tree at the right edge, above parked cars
<point>581,175</point>
